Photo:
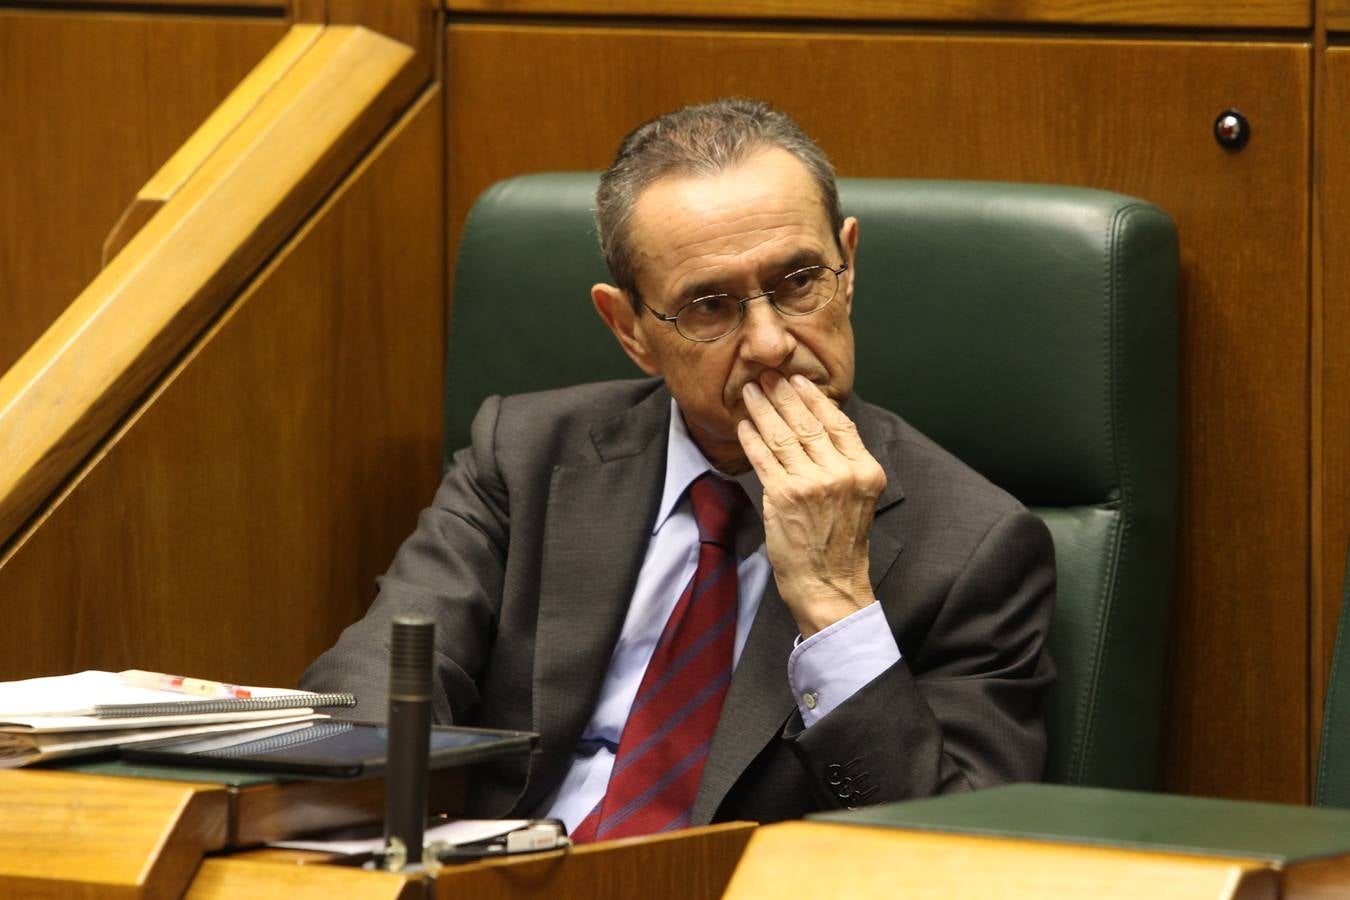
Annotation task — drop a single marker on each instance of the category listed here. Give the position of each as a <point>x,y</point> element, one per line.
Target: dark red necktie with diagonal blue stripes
<point>670,727</point>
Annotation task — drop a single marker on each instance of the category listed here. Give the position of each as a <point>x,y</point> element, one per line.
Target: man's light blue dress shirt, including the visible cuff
<point>824,670</point>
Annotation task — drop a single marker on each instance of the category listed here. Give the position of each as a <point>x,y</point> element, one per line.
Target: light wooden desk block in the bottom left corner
<point>82,836</point>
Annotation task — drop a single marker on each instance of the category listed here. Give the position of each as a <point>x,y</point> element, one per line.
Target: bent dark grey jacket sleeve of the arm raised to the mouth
<point>965,709</point>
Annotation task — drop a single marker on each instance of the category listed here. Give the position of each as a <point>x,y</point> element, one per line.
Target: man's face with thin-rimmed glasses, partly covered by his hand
<point>736,233</point>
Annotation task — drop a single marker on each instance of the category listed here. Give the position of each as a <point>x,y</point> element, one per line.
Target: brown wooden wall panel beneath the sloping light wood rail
<point>237,524</point>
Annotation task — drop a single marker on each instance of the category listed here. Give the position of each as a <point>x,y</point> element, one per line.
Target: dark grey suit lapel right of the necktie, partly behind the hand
<point>761,701</point>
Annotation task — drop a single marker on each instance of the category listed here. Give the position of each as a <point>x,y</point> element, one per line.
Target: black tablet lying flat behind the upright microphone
<point>326,748</point>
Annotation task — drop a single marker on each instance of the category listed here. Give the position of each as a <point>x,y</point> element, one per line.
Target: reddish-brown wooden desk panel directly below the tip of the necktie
<point>693,864</point>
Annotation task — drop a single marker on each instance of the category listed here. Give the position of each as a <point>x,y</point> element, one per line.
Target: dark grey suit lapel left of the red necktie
<point>600,516</point>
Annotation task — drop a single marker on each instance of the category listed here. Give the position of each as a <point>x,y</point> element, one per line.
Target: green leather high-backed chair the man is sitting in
<point>1029,330</point>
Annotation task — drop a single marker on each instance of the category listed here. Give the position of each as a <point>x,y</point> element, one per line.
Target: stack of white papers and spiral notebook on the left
<point>63,716</point>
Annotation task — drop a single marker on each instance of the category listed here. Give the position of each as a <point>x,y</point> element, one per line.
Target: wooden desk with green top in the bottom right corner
<point>1055,841</point>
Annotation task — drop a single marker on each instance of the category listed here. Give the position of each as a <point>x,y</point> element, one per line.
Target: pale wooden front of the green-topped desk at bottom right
<point>817,860</point>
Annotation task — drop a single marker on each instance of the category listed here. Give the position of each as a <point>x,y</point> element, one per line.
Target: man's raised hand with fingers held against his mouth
<point>820,495</point>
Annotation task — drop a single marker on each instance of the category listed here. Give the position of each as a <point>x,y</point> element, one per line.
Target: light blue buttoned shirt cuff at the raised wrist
<point>831,666</point>
